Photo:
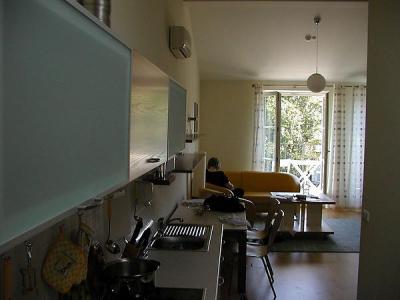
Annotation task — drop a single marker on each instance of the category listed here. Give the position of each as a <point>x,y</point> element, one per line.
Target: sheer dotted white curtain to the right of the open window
<point>346,172</point>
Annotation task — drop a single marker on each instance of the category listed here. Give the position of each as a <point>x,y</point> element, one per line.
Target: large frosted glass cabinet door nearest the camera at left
<point>64,112</point>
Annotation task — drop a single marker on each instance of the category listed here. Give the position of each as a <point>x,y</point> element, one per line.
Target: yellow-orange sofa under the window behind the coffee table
<point>259,185</point>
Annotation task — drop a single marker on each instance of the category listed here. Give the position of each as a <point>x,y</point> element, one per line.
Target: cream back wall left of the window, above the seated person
<point>226,116</point>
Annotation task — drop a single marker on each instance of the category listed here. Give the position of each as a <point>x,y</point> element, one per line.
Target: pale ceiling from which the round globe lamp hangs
<point>265,40</point>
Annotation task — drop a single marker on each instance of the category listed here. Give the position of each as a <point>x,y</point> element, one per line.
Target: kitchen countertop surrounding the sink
<point>194,269</point>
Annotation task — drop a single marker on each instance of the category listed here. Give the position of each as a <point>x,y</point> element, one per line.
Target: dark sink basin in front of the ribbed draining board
<point>179,243</point>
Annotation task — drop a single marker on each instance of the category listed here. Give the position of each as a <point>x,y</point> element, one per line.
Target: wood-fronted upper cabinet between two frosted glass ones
<point>149,116</point>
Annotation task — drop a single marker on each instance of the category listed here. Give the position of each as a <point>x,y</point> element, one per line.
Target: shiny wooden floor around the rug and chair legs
<point>319,276</point>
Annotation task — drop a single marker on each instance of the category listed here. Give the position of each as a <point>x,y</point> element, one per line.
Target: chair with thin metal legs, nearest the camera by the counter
<point>261,250</point>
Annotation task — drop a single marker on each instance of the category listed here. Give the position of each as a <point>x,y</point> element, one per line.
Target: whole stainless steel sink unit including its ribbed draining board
<point>184,237</point>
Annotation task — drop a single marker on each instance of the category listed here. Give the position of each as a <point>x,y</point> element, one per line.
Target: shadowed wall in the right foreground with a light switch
<point>379,269</point>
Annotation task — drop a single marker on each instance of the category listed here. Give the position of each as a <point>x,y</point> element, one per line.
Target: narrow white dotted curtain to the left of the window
<point>259,131</point>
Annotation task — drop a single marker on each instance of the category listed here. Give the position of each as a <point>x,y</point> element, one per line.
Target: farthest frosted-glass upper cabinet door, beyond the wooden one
<point>176,118</point>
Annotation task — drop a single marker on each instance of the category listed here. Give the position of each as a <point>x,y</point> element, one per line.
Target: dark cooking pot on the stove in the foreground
<point>130,278</point>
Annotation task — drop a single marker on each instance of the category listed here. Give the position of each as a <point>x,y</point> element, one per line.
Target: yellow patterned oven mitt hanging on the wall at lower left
<point>64,265</point>
